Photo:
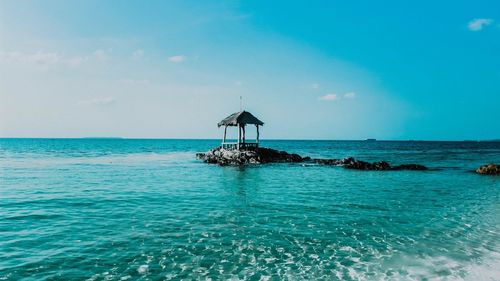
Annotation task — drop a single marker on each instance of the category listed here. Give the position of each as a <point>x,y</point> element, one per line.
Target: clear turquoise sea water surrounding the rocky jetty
<point>113,209</point>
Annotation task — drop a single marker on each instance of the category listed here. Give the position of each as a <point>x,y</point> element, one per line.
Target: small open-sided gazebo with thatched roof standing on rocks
<point>240,119</point>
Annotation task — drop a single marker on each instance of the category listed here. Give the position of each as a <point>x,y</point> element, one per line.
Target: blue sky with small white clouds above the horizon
<point>309,70</point>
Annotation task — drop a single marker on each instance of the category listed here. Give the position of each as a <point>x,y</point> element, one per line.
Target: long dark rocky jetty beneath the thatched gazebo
<point>225,157</point>
